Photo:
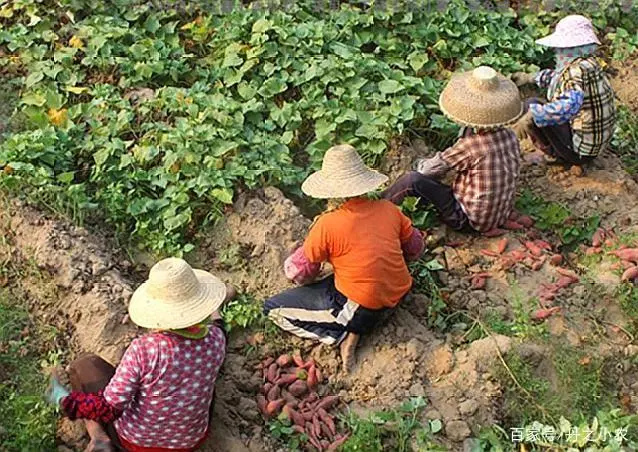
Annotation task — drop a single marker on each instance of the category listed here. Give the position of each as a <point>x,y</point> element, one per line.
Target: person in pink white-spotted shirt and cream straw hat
<point>159,398</point>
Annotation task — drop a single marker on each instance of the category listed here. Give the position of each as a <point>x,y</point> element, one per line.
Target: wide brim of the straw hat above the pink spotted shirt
<point>149,312</point>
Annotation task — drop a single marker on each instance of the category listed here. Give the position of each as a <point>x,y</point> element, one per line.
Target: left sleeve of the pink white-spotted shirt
<point>125,384</point>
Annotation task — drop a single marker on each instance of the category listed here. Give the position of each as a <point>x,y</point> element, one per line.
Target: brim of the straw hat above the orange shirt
<point>320,185</point>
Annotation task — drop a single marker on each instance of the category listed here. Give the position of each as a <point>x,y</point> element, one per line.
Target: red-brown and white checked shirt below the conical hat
<point>488,165</point>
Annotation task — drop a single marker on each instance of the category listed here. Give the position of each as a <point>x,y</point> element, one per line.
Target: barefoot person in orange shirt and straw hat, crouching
<point>367,241</point>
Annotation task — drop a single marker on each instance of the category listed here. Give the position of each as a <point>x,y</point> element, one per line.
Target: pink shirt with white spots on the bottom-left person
<point>164,386</point>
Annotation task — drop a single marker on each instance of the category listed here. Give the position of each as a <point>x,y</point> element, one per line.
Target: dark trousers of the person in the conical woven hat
<point>430,192</point>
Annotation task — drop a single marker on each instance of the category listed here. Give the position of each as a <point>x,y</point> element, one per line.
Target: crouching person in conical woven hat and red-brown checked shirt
<point>486,157</point>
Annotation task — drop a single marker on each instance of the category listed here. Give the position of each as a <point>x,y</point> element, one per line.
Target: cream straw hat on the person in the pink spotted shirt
<point>175,296</point>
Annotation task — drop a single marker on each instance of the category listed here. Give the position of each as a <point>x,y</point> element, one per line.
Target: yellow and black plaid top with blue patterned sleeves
<point>581,94</point>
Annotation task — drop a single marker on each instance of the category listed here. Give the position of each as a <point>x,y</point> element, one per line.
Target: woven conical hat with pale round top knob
<point>482,98</point>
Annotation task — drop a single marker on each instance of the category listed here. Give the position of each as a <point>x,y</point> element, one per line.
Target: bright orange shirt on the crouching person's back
<point>362,240</point>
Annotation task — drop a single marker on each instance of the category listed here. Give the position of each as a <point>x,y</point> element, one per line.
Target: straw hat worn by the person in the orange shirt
<point>343,175</point>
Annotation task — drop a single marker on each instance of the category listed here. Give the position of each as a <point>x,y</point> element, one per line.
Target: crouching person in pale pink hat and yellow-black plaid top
<point>577,122</point>
